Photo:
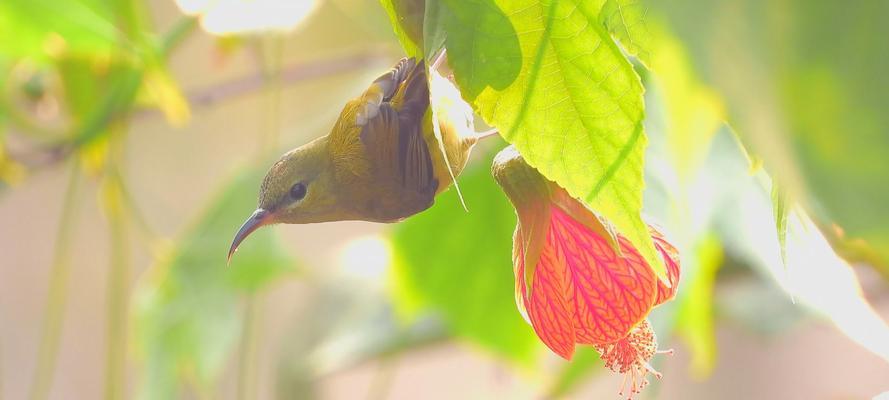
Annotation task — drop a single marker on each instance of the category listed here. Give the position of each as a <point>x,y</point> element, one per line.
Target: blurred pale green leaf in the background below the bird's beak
<point>186,316</point>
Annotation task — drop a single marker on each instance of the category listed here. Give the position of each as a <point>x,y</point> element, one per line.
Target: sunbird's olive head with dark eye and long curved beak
<point>298,189</point>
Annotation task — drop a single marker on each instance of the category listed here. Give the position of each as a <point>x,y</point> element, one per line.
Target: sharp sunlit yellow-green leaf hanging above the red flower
<point>550,77</point>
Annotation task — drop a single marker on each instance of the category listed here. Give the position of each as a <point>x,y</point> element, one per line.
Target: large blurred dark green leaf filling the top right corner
<point>806,88</point>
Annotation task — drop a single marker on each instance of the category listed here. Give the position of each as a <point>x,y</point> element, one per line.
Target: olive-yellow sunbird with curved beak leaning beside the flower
<point>381,162</point>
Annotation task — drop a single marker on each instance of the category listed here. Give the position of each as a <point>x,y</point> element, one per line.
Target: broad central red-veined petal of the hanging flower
<point>609,294</point>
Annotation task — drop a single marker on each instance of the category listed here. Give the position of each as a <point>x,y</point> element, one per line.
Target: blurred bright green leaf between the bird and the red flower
<point>459,264</point>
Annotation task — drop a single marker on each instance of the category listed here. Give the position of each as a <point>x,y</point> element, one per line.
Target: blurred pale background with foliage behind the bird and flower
<point>135,135</point>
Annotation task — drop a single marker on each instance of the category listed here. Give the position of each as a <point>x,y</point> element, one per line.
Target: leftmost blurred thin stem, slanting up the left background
<point>57,292</point>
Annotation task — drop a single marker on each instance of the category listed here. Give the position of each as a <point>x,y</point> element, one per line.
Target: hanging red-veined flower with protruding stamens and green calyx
<point>578,281</point>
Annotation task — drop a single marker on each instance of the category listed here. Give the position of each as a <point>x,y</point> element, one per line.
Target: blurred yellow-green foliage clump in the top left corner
<point>103,55</point>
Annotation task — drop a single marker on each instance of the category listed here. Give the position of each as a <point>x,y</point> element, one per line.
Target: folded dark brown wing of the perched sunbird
<point>393,133</point>
